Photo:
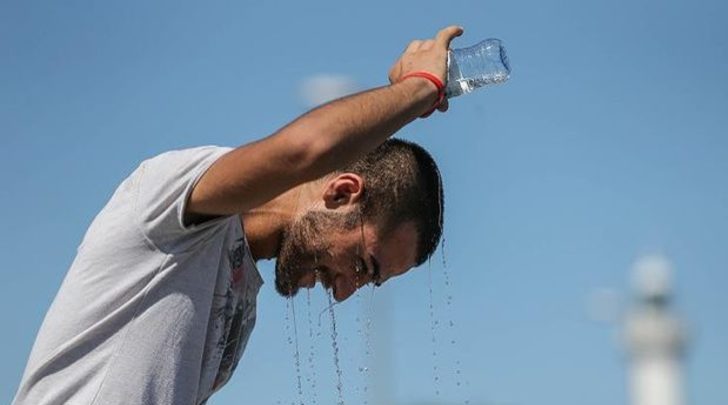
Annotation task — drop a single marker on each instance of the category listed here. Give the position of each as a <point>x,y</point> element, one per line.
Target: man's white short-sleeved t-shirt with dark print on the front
<point>151,311</point>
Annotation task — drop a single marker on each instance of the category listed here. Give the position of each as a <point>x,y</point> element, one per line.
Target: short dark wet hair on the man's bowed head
<point>403,184</point>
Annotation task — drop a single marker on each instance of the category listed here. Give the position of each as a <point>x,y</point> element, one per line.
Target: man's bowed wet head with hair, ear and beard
<point>379,217</point>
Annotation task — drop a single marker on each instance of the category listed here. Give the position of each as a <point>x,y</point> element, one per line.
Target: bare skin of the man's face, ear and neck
<point>340,258</point>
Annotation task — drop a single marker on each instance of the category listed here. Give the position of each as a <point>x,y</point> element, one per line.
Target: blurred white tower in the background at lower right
<point>655,337</point>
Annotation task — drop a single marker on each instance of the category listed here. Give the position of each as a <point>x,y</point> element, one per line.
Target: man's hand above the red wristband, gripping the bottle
<point>426,55</point>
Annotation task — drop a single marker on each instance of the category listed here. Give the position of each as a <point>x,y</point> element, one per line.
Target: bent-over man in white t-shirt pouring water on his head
<point>160,301</point>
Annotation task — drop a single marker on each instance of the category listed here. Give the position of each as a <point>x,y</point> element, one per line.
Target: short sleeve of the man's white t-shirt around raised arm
<point>164,185</point>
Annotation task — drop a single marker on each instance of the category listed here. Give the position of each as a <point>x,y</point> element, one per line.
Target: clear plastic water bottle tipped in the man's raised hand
<point>480,65</point>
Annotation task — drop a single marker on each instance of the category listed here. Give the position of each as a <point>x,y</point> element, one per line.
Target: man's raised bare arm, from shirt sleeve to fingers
<point>325,138</point>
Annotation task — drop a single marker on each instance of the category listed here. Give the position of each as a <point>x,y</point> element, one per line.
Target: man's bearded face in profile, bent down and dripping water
<point>341,253</point>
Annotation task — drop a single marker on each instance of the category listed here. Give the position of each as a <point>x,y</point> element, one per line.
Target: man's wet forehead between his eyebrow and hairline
<point>395,250</point>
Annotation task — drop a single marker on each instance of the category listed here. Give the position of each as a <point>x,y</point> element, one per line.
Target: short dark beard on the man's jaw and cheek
<point>303,243</point>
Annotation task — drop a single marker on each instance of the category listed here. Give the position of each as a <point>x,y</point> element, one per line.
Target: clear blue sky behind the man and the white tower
<point>609,142</point>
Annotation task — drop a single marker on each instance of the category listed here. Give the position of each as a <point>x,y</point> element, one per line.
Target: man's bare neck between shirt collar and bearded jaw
<point>264,225</point>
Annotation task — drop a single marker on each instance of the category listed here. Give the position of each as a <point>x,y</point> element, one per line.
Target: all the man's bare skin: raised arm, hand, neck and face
<point>279,180</point>
